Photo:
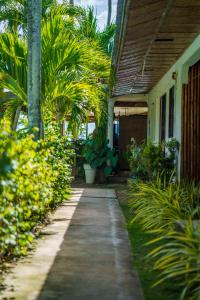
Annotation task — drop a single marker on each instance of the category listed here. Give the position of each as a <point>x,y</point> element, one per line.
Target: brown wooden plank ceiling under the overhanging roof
<point>155,34</point>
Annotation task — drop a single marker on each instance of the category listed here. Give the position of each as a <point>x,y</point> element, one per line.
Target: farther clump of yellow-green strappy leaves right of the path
<point>158,206</point>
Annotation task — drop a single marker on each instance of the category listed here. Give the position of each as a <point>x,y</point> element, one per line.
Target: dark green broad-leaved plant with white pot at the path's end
<point>98,157</point>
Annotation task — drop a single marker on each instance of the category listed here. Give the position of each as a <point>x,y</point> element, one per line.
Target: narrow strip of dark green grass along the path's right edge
<point>147,276</point>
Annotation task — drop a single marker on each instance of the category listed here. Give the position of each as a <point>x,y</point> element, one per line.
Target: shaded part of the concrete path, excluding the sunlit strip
<point>94,261</point>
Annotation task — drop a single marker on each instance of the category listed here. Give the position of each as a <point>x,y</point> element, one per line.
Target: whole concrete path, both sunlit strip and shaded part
<point>90,259</point>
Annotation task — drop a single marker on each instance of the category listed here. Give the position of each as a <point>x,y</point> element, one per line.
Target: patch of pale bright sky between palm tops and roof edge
<point>101,8</point>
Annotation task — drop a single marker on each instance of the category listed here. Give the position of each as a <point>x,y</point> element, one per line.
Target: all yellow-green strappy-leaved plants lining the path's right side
<point>171,212</point>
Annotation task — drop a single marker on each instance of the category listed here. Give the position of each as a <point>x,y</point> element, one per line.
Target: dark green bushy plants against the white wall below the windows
<point>147,161</point>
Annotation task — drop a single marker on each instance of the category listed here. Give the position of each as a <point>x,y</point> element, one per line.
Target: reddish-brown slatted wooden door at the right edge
<point>190,150</point>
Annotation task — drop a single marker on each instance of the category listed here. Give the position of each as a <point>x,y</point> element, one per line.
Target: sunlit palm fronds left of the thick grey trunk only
<point>13,75</point>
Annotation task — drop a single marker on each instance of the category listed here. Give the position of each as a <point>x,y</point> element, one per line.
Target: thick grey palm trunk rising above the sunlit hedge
<point>34,66</point>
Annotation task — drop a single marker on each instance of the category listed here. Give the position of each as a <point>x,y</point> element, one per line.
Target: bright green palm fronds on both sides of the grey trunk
<point>71,76</point>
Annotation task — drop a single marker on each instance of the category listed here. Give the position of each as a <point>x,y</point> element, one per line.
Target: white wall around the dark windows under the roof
<point>181,67</point>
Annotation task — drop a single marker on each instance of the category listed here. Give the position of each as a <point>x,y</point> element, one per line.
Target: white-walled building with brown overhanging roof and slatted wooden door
<point>156,61</point>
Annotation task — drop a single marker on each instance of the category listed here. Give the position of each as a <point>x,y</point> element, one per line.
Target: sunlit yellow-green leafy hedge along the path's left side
<point>33,179</point>
